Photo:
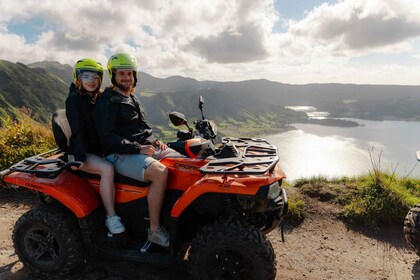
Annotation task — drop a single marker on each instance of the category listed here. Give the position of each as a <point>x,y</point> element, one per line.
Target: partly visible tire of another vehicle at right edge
<point>412,228</point>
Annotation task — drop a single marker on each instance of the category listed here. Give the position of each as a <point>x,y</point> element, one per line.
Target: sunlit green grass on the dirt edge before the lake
<point>374,200</point>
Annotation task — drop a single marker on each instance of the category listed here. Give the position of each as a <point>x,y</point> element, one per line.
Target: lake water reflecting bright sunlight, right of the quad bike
<point>314,150</point>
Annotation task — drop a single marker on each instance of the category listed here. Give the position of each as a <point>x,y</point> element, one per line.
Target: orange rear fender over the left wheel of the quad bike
<point>70,190</point>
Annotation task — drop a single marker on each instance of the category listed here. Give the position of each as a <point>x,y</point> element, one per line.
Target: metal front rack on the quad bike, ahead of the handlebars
<point>255,156</point>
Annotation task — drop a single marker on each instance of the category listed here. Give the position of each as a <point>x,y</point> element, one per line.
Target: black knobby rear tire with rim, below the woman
<point>48,242</point>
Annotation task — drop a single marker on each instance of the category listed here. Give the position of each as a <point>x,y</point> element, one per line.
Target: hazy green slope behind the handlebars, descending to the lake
<point>233,115</point>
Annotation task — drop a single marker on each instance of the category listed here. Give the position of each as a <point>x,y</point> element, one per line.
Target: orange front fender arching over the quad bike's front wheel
<point>210,184</point>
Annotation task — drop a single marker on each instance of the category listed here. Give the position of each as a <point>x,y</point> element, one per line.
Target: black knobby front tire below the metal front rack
<point>232,249</point>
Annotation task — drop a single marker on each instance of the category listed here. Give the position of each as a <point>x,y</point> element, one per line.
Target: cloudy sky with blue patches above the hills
<point>294,42</point>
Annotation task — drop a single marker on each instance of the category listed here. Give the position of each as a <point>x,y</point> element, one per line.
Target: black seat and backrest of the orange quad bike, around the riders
<point>62,132</point>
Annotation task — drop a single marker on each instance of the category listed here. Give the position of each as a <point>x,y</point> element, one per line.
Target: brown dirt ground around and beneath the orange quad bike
<point>322,247</point>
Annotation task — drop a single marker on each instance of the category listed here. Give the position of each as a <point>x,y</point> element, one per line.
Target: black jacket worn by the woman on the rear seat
<point>84,138</point>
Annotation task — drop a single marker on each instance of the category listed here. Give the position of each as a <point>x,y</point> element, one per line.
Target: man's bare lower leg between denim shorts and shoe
<point>157,173</point>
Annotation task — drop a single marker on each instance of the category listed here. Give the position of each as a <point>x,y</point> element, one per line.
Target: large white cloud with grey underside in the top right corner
<point>353,26</point>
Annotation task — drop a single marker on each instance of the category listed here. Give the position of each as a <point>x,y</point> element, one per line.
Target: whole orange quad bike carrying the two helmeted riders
<point>219,205</point>
